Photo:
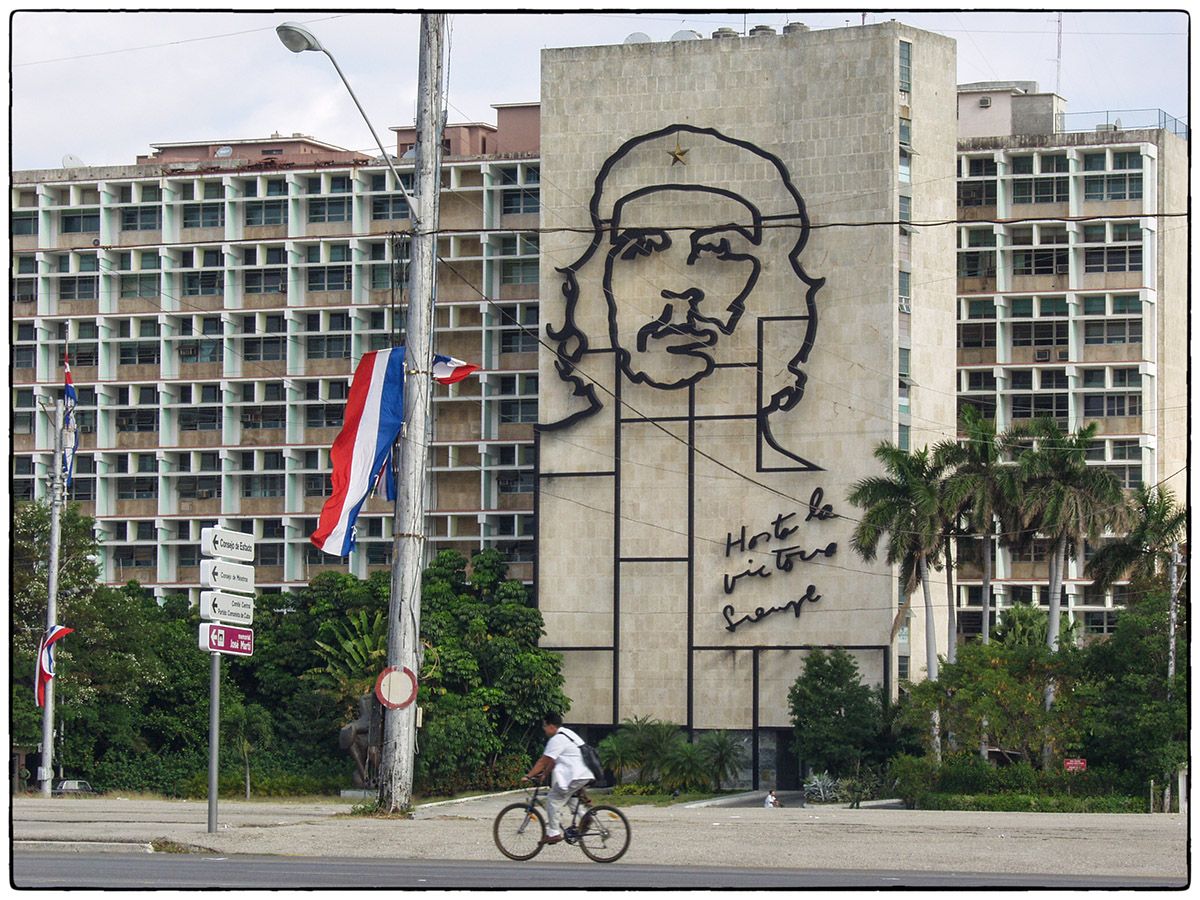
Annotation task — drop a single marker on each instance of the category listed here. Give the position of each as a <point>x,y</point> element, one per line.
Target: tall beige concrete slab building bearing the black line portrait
<point>739,313</point>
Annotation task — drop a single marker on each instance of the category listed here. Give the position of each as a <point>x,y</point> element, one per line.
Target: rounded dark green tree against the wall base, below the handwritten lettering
<point>835,715</point>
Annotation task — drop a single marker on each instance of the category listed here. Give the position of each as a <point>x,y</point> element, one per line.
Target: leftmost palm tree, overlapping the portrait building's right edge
<point>905,505</point>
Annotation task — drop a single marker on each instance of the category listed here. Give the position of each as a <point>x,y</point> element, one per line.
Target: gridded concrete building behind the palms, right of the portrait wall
<point>1072,302</point>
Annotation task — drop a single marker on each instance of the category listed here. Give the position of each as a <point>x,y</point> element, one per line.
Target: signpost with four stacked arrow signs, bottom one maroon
<point>224,573</point>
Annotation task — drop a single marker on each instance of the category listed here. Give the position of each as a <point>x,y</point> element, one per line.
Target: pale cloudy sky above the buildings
<point>105,86</point>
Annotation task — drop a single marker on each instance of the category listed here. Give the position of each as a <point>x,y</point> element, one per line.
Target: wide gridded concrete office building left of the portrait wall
<point>214,298</point>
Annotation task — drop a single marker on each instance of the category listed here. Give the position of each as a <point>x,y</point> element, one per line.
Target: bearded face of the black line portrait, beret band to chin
<point>673,292</point>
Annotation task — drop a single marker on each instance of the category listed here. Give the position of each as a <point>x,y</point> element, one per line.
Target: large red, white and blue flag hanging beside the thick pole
<point>375,412</point>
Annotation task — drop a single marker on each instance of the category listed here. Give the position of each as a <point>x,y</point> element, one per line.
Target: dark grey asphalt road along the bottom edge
<point>161,872</point>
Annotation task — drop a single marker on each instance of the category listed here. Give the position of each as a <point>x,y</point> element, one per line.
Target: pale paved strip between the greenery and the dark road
<point>811,837</point>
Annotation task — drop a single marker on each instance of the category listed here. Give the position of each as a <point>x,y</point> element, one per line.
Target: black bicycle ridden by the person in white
<point>602,832</point>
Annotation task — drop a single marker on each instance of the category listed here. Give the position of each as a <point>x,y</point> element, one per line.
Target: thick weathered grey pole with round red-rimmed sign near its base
<point>409,526</point>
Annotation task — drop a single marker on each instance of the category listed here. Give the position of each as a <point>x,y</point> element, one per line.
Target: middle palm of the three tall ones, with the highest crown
<point>983,488</point>
